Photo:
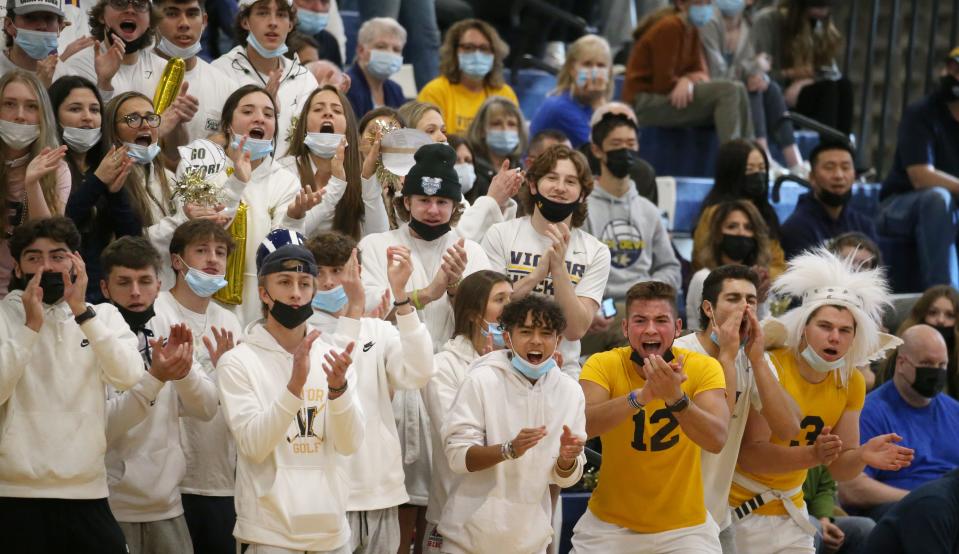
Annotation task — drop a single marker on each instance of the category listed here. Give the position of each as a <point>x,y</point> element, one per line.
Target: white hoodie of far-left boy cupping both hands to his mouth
<point>53,399</point>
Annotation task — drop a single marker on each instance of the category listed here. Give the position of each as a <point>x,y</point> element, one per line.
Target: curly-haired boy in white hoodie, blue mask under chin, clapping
<point>516,426</point>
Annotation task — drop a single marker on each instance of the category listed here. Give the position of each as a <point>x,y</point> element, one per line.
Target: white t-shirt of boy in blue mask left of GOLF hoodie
<point>207,445</point>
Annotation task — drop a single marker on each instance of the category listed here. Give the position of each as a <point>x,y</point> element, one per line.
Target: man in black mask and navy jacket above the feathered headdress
<point>825,212</point>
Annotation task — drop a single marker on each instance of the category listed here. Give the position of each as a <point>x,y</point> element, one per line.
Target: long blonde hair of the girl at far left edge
<point>46,139</point>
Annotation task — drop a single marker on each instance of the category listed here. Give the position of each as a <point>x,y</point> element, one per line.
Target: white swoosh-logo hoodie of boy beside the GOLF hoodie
<point>386,359</point>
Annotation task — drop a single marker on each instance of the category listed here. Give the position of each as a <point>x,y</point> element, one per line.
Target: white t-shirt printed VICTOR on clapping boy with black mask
<point>514,247</point>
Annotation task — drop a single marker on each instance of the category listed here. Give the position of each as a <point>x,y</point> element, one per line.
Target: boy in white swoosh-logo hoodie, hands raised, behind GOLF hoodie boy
<point>391,359</point>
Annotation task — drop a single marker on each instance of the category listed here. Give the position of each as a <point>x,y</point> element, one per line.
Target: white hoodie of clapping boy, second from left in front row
<point>145,461</point>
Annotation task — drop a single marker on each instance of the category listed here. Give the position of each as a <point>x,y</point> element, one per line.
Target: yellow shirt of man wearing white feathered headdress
<point>820,405</point>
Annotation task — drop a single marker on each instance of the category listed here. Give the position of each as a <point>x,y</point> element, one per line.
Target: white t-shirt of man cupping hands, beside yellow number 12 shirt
<point>718,469</point>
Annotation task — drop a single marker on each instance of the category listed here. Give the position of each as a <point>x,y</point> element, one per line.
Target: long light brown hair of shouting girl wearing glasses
<point>137,183</point>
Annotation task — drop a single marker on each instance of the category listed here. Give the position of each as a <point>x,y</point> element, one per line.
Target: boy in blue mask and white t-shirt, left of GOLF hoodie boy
<point>199,251</point>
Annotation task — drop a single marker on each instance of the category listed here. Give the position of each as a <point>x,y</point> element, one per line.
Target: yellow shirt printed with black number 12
<point>650,480</point>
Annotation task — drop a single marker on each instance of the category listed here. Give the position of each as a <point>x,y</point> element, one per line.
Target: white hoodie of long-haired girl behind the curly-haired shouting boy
<point>452,364</point>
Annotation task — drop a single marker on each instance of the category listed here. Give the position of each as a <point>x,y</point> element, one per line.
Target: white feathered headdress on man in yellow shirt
<point>820,278</point>
